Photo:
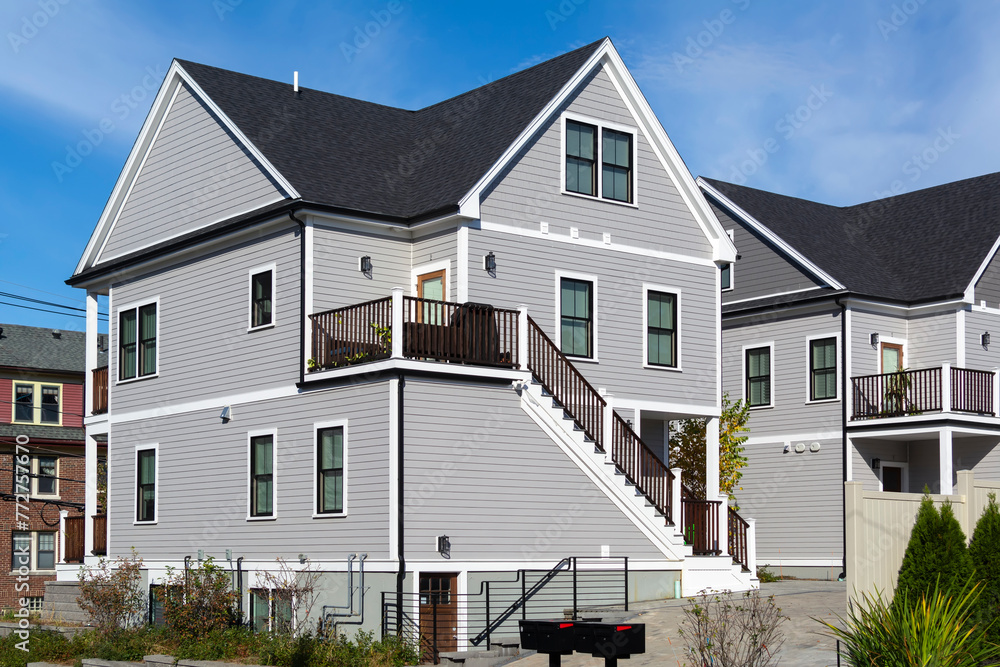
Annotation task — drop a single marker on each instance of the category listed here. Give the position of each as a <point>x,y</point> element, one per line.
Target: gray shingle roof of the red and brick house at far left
<point>38,348</point>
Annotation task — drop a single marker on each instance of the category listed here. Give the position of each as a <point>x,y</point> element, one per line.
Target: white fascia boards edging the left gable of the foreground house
<point>161,104</point>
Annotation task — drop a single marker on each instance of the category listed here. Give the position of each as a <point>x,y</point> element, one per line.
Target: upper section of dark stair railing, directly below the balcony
<point>560,378</point>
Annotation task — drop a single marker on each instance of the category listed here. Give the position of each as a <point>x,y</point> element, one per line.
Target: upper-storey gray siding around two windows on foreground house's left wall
<point>204,347</point>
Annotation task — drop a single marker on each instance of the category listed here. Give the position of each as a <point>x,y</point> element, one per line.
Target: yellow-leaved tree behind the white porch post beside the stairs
<point>687,448</point>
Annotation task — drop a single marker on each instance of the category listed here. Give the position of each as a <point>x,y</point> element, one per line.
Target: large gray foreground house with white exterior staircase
<point>322,346</point>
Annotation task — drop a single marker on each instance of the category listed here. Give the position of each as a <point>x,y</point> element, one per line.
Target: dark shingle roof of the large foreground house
<point>381,160</point>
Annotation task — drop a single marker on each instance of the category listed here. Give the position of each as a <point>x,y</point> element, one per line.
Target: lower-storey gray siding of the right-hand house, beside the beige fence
<point>796,500</point>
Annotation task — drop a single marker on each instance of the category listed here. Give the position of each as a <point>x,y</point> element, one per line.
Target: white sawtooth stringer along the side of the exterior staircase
<point>599,468</point>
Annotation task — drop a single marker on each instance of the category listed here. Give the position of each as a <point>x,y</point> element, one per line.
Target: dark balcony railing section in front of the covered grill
<point>468,333</point>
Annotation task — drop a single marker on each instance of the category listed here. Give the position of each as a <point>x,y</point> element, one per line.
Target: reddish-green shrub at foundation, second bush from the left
<point>199,600</point>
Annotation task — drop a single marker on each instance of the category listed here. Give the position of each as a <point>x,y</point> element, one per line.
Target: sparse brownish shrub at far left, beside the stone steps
<point>112,595</point>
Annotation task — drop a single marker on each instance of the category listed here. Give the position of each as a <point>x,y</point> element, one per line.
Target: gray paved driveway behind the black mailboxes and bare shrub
<point>800,601</point>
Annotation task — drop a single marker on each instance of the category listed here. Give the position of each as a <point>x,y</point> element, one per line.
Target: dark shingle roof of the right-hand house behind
<point>913,247</point>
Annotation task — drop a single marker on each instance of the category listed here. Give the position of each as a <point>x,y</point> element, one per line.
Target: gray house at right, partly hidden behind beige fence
<point>823,309</point>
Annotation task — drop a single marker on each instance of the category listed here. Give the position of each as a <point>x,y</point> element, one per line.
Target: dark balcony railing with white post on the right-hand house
<point>943,389</point>
